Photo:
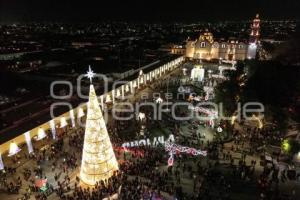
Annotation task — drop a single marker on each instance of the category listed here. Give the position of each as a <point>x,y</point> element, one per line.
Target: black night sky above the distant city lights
<point>145,10</point>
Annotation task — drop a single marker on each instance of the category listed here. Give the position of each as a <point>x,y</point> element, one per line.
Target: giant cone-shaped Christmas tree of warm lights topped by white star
<point>98,158</point>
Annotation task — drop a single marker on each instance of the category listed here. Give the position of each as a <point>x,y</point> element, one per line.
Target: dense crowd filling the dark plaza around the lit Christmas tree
<point>143,171</point>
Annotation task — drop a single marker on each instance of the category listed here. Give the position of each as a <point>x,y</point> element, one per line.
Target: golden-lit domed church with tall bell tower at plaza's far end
<point>205,47</point>
